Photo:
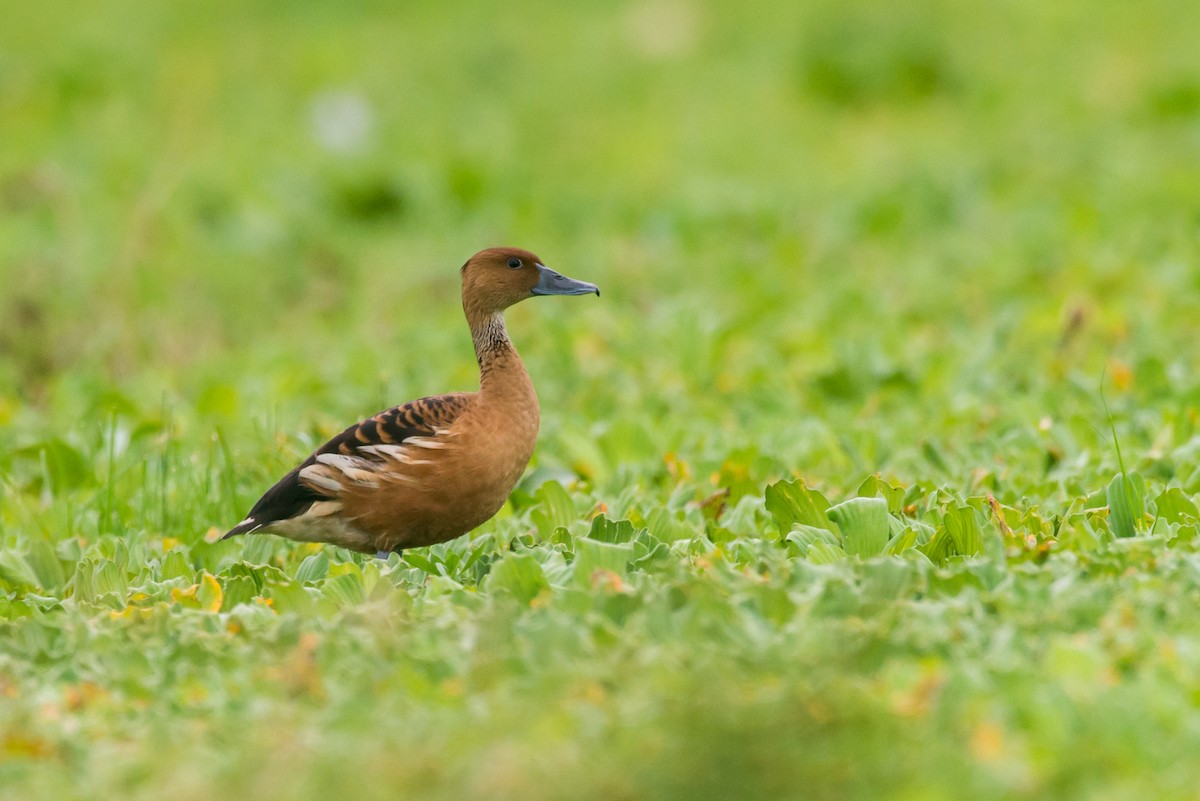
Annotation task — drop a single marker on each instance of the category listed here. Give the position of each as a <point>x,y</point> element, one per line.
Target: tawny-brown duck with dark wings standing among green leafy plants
<point>433,469</point>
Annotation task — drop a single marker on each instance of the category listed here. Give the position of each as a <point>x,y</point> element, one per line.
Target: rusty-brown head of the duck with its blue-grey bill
<point>499,278</point>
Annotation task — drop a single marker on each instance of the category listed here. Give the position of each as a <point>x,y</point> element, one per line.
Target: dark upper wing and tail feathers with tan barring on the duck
<point>290,497</point>
